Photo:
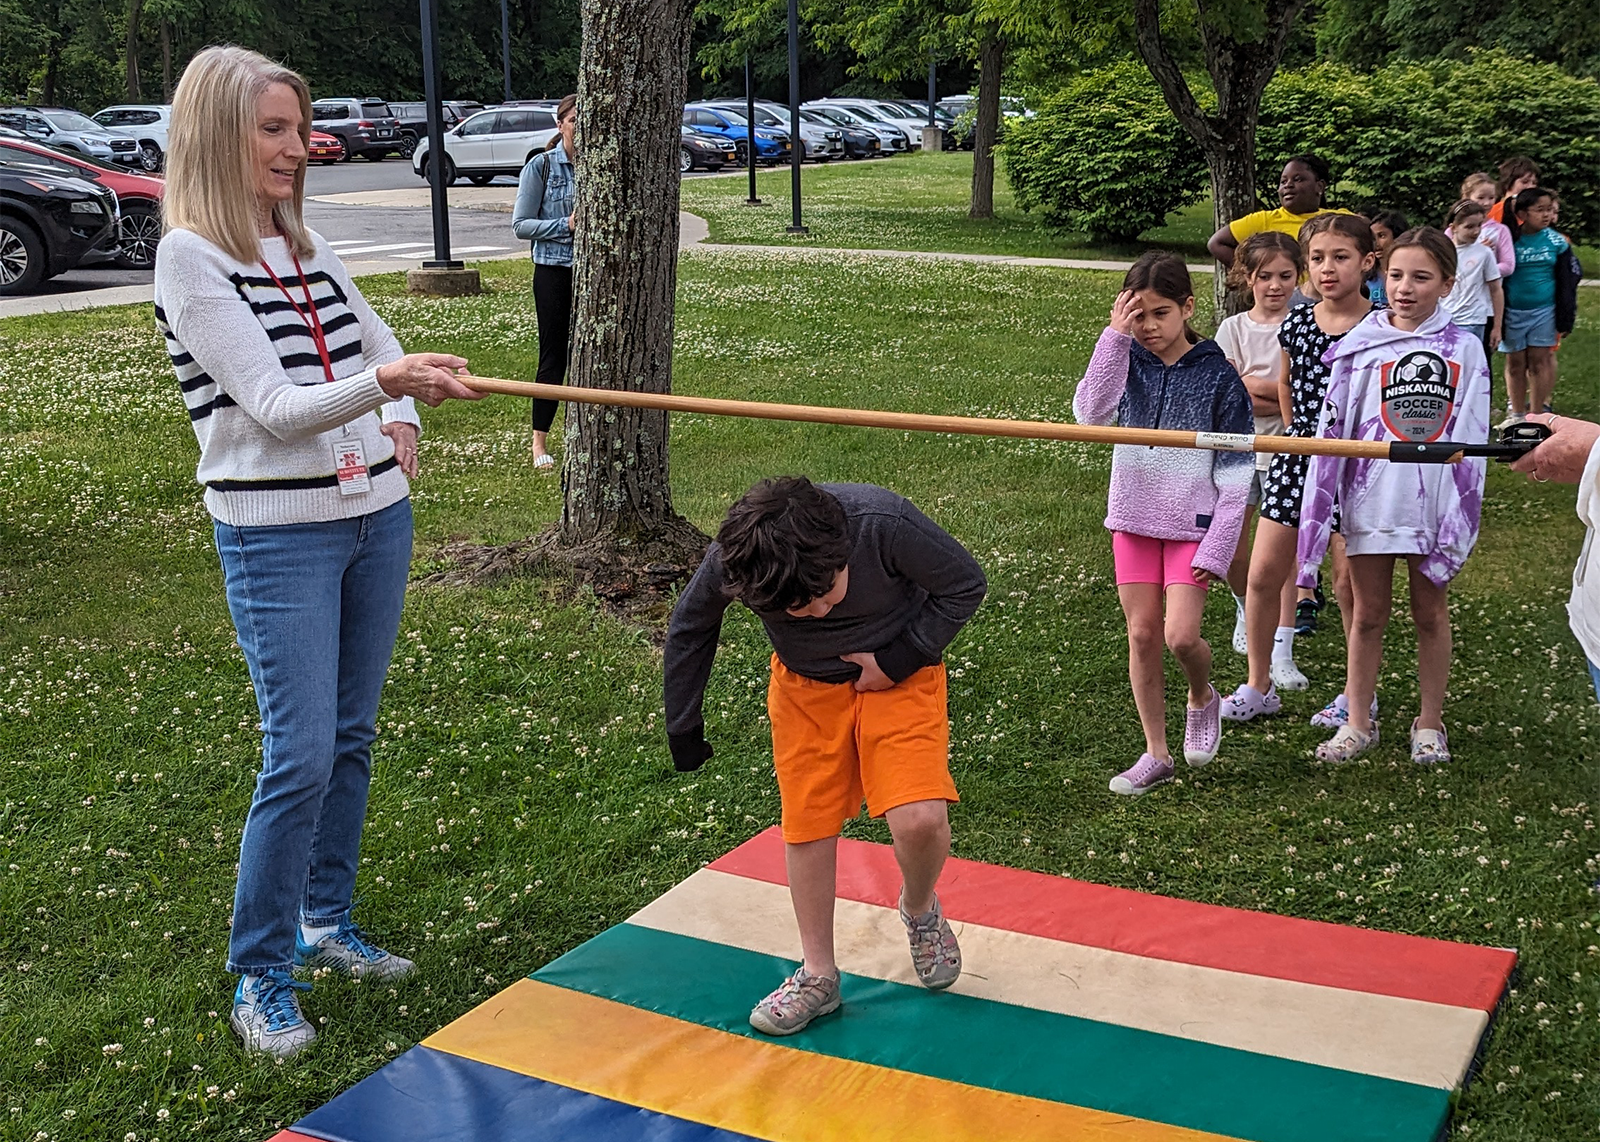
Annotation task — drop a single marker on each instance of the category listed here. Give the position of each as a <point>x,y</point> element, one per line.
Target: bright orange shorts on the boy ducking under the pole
<point>833,748</point>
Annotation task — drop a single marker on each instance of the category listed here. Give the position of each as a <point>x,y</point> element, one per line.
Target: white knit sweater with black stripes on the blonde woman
<point>254,383</point>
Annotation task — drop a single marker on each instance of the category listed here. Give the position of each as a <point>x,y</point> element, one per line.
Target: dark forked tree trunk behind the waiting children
<point>1239,74</point>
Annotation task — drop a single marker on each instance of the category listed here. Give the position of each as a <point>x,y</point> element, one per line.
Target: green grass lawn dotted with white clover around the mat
<point>522,797</point>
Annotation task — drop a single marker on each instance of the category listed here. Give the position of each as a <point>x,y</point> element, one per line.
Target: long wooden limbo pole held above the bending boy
<point>980,426</point>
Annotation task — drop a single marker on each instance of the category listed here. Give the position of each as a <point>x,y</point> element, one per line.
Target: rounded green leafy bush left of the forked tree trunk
<point>1105,158</point>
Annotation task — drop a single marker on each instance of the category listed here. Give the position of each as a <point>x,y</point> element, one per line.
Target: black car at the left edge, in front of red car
<point>47,225</point>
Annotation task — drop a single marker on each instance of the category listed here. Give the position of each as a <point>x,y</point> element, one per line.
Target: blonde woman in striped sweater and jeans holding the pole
<point>305,409</point>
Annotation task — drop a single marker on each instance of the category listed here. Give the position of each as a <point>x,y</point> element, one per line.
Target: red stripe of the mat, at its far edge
<point>1167,928</point>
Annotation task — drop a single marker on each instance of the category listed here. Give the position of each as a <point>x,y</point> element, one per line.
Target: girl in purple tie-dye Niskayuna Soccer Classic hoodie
<point>1409,375</point>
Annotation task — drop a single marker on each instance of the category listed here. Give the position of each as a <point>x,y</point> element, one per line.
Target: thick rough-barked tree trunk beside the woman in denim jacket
<point>617,500</point>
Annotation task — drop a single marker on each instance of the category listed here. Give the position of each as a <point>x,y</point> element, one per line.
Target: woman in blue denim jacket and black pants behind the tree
<point>545,217</point>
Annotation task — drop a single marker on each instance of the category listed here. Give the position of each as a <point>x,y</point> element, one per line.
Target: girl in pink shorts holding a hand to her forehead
<point>1175,514</point>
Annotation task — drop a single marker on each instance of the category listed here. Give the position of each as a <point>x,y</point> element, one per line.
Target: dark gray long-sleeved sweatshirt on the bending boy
<point>911,589</point>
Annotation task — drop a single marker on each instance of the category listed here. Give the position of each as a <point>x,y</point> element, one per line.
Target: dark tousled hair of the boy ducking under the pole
<point>783,545</point>
